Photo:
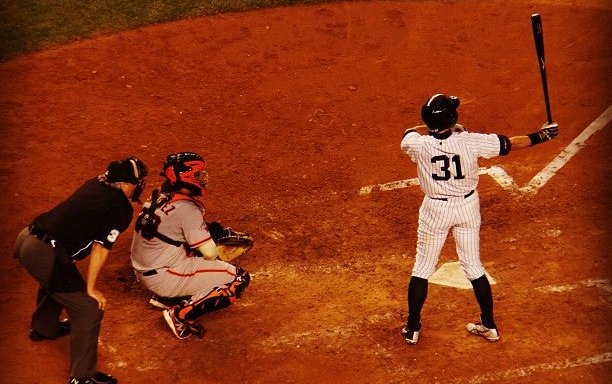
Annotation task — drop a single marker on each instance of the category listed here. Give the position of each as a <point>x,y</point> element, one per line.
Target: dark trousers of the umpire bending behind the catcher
<point>85,316</point>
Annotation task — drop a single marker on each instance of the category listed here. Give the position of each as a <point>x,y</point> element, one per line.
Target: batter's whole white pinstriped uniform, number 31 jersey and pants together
<point>448,175</point>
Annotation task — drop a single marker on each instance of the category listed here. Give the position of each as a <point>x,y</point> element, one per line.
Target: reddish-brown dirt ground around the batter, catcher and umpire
<point>297,110</point>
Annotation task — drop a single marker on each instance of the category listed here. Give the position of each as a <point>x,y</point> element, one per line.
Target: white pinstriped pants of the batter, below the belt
<point>436,219</point>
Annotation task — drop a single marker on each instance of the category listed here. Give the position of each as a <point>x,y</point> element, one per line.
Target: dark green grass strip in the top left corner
<point>33,25</point>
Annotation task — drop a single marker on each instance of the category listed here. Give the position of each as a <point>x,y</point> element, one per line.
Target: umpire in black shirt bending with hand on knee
<point>87,223</point>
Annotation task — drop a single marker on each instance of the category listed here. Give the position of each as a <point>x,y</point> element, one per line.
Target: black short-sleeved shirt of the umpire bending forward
<point>94,212</point>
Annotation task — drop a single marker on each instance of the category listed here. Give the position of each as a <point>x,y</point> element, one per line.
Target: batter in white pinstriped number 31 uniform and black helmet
<point>447,163</point>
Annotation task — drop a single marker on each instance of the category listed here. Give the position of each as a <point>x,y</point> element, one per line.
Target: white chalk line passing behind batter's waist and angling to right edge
<point>506,181</point>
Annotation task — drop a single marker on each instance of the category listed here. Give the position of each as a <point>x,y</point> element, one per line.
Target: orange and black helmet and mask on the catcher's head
<point>186,170</point>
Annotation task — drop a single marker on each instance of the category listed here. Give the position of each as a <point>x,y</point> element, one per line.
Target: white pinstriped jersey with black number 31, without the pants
<point>449,167</point>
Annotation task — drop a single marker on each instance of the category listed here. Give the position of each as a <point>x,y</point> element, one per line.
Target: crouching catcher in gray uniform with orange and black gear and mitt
<point>177,255</point>
